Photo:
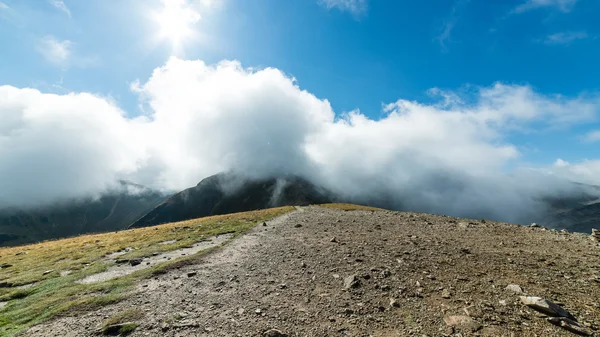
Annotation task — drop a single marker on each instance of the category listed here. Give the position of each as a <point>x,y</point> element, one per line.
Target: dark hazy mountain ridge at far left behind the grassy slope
<point>113,211</point>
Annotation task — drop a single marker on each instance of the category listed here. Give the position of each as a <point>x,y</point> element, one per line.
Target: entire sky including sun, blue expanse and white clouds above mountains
<point>448,97</point>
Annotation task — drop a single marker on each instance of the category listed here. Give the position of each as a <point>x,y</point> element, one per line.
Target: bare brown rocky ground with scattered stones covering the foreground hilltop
<point>326,272</point>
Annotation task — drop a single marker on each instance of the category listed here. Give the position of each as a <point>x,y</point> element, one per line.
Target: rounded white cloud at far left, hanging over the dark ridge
<point>57,147</point>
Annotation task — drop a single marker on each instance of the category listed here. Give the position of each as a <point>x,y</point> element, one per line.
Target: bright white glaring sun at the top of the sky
<point>175,21</point>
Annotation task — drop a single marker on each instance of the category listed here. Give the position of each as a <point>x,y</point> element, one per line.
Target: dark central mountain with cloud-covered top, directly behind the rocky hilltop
<point>229,193</point>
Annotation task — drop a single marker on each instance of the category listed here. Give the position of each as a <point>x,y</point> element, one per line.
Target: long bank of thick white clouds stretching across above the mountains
<point>449,157</point>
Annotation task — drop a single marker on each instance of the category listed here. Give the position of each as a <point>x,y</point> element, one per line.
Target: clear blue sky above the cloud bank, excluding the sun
<point>388,49</point>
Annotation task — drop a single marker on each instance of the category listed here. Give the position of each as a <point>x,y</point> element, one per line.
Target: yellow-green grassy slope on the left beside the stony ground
<point>51,295</point>
